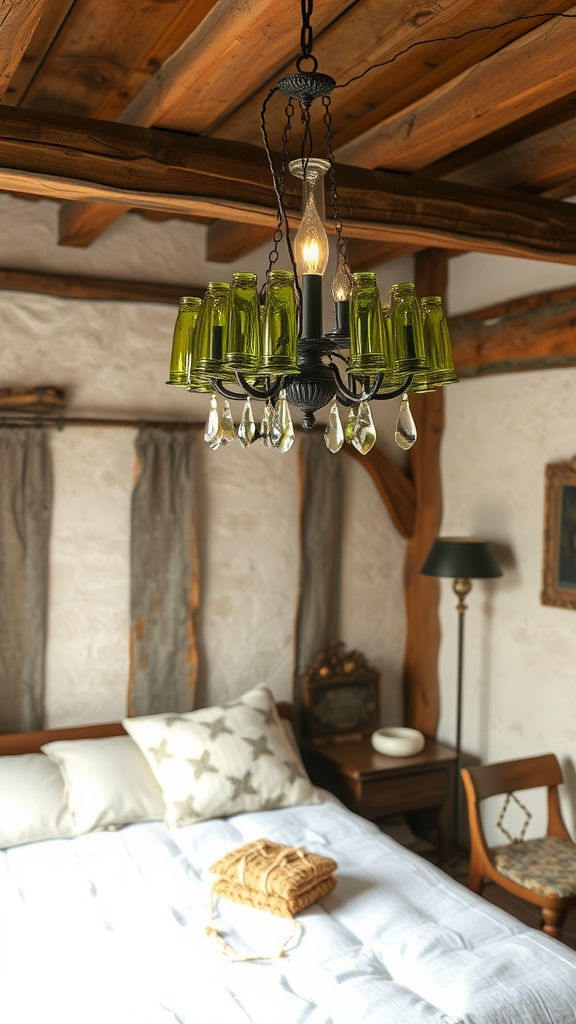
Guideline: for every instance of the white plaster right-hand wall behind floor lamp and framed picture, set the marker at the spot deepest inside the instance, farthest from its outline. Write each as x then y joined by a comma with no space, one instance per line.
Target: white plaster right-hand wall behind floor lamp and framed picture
520,657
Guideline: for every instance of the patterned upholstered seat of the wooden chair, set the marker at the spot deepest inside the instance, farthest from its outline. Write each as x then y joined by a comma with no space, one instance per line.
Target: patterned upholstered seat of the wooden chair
545,866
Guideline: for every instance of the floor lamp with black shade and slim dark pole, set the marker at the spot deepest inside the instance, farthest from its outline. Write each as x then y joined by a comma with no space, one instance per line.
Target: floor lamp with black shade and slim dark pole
465,560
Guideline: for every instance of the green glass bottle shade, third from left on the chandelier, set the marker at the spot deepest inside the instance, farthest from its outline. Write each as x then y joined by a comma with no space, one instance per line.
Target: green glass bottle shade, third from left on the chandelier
244,349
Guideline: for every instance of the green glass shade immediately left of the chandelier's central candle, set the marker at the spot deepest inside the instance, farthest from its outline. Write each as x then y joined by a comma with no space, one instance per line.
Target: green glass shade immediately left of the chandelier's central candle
280,333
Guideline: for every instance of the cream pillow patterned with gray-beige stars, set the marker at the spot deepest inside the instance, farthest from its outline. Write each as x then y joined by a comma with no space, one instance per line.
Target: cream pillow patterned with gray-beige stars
223,760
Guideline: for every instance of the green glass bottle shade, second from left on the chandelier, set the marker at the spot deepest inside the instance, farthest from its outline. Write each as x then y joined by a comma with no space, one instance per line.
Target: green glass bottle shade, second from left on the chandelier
212,335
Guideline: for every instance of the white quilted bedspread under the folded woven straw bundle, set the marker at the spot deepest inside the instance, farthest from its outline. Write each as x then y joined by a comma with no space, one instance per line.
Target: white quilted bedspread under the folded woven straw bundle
109,929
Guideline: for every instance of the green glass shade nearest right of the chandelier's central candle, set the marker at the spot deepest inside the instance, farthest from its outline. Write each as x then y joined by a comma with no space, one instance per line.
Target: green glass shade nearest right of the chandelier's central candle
367,342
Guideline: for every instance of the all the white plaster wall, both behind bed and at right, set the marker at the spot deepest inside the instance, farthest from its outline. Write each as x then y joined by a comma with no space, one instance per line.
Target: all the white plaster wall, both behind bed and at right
501,433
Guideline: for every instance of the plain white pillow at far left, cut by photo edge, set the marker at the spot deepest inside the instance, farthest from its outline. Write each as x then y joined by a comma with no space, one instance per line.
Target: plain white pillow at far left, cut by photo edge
33,803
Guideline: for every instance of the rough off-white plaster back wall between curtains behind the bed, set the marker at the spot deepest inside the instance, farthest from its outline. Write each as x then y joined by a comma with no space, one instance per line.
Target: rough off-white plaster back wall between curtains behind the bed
112,358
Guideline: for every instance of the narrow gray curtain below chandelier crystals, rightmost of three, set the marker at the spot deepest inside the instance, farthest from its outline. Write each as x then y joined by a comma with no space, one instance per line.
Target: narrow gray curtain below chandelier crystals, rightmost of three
321,541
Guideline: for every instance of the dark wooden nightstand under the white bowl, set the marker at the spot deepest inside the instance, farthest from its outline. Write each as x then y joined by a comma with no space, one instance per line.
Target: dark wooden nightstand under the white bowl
378,787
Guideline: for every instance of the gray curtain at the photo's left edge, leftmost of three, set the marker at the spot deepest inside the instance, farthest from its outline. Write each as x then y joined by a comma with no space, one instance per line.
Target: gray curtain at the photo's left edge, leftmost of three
26,507
